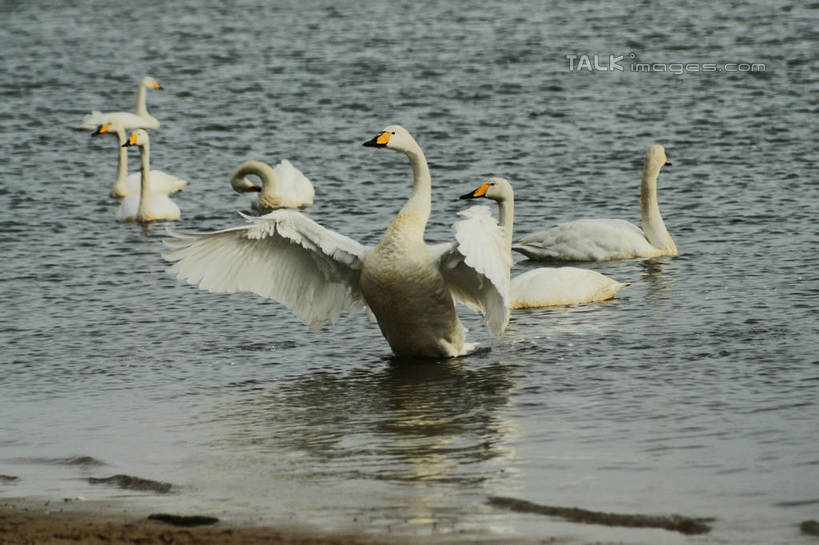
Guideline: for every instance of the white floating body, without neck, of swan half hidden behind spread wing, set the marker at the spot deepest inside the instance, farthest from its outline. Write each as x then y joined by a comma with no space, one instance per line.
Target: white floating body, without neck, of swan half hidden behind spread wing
549,286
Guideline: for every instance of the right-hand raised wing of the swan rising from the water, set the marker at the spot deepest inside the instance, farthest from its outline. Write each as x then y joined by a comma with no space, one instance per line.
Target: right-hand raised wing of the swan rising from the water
476,267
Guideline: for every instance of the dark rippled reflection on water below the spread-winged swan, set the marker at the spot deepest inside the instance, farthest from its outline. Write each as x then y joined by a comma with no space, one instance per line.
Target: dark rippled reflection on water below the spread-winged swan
424,422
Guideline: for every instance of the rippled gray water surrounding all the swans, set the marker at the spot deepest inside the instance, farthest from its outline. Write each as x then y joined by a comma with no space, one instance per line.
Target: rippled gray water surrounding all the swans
694,392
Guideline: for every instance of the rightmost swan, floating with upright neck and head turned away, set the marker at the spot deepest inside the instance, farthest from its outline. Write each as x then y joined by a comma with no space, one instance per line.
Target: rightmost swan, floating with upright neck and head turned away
604,239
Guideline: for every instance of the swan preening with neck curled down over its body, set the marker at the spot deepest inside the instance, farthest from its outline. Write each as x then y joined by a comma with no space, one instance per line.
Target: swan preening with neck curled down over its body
282,187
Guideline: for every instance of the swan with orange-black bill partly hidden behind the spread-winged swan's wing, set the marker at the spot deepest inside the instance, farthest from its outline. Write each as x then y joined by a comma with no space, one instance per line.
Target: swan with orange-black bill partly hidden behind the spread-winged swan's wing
545,286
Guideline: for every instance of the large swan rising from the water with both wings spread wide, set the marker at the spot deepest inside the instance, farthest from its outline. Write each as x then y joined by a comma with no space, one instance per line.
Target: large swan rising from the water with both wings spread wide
407,285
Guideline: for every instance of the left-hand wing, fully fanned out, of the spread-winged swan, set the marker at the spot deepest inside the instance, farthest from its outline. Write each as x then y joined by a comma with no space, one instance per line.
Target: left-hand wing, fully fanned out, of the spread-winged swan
283,255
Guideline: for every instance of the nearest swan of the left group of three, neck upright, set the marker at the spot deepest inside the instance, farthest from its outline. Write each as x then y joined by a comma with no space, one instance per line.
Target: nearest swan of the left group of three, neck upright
145,206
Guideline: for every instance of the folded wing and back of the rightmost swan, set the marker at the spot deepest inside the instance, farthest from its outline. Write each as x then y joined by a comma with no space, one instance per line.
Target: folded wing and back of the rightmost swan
585,240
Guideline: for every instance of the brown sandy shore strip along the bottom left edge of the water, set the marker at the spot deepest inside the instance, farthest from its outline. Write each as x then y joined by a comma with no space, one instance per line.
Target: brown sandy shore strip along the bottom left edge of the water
27,523
